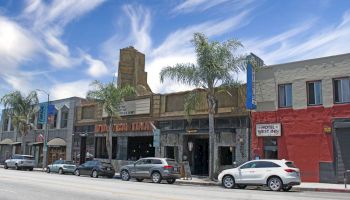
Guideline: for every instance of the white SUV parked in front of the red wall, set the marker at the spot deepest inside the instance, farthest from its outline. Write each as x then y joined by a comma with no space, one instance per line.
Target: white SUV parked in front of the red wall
276,174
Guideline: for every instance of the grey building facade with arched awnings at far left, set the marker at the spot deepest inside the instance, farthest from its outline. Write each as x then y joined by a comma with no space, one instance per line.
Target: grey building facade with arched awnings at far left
59,138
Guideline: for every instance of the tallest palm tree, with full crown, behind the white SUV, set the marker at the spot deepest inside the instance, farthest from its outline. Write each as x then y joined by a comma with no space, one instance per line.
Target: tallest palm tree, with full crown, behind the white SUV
214,72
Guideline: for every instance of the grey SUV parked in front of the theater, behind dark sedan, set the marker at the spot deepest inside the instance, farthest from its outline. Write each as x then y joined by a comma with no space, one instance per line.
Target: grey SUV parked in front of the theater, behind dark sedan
156,169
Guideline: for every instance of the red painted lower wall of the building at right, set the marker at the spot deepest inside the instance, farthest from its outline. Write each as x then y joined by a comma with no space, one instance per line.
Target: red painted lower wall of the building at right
303,139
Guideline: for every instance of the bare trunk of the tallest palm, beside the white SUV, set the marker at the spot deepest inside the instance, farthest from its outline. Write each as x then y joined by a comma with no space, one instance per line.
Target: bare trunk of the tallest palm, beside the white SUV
211,106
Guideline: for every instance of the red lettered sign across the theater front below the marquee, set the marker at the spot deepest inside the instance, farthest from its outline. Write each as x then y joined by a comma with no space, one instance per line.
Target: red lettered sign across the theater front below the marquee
125,127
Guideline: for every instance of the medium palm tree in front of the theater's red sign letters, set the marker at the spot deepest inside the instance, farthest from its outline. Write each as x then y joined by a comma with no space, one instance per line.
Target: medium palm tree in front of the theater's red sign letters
110,97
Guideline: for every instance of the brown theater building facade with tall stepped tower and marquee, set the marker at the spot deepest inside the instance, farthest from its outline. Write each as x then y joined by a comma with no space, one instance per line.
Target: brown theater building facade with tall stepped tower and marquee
155,125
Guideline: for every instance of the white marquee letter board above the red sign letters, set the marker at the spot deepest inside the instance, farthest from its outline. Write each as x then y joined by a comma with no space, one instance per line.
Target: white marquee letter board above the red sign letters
134,107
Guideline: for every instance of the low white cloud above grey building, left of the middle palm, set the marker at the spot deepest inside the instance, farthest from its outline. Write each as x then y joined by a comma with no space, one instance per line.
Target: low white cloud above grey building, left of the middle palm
71,89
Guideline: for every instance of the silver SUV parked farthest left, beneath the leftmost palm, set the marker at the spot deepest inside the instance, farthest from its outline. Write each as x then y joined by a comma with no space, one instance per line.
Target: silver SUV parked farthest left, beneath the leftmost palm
20,162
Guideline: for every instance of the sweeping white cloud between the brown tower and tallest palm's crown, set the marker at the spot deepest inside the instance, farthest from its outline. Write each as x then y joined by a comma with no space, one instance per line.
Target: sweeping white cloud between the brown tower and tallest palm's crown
177,48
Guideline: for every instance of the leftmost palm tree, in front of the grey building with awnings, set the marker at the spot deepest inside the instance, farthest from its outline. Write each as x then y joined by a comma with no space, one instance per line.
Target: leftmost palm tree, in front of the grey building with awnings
21,110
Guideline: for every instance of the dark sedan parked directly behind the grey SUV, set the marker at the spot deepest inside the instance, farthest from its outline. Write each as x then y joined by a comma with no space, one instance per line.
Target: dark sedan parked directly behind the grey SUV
95,168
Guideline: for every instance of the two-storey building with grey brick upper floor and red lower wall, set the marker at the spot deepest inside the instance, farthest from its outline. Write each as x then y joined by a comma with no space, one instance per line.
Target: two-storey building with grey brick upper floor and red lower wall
303,114
